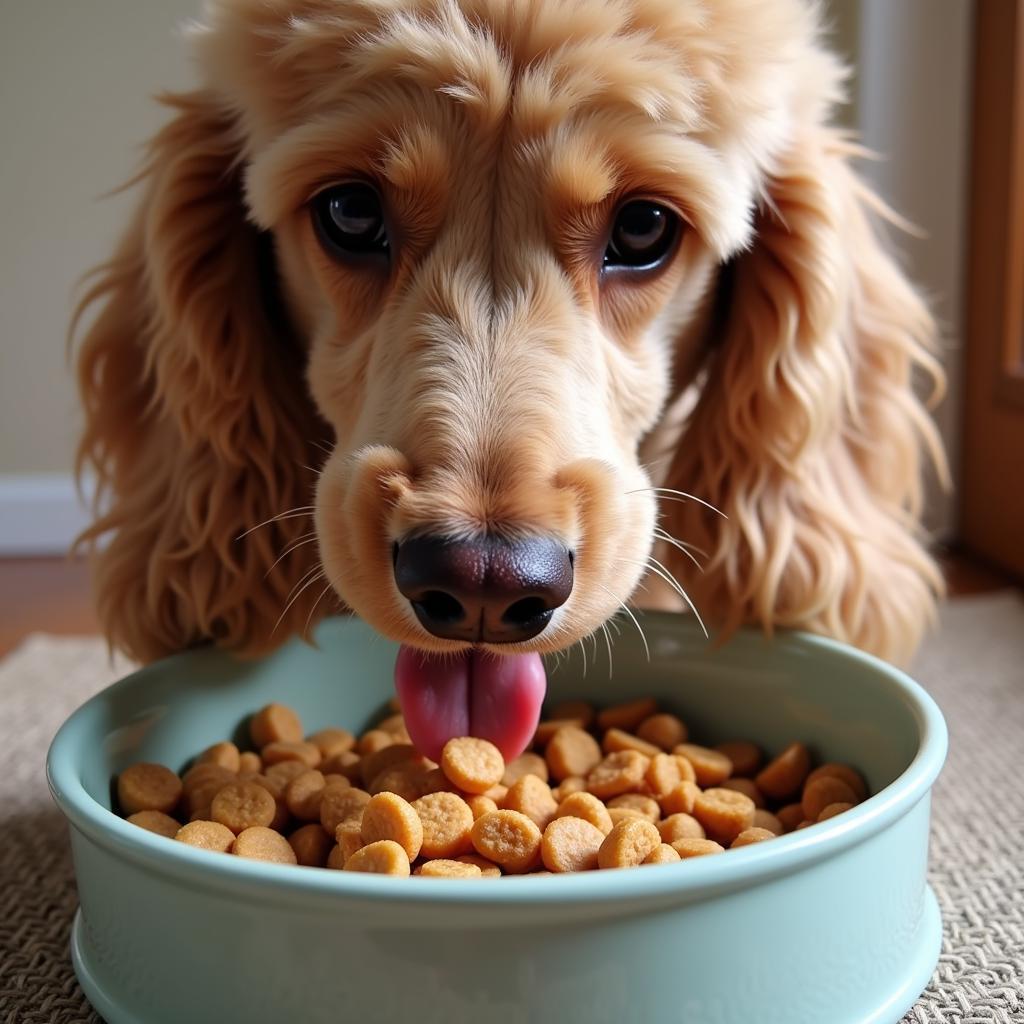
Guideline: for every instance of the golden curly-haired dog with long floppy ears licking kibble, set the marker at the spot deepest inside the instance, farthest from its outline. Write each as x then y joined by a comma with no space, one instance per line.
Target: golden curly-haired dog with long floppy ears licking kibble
482,319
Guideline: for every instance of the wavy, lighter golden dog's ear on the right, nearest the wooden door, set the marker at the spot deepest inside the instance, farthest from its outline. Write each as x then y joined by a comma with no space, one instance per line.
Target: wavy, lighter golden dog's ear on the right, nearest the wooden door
808,436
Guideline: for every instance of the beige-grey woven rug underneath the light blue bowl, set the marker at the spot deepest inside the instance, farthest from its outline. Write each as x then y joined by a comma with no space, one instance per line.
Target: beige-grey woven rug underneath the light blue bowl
974,667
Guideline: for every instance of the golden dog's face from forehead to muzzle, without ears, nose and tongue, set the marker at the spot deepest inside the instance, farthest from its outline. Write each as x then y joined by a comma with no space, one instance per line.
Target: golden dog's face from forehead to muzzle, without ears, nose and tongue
498,227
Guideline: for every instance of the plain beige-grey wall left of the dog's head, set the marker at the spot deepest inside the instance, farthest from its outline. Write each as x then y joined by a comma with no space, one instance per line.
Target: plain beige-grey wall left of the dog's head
76,82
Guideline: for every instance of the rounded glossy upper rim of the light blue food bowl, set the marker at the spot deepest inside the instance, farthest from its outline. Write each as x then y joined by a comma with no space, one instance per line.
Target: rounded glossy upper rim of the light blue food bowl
704,877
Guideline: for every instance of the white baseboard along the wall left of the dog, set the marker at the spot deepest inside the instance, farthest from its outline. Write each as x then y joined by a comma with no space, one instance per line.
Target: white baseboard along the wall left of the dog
41,514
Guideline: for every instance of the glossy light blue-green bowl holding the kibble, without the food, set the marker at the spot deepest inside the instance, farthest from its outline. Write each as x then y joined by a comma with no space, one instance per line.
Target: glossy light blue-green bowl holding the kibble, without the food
832,925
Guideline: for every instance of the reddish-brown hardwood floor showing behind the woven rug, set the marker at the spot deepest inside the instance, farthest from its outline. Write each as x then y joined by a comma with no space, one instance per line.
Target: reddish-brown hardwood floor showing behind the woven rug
54,594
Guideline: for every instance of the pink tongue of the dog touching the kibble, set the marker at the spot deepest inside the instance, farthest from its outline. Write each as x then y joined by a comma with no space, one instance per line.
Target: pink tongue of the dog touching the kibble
473,694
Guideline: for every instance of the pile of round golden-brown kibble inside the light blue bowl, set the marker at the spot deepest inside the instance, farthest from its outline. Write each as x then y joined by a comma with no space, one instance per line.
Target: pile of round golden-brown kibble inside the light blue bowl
620,788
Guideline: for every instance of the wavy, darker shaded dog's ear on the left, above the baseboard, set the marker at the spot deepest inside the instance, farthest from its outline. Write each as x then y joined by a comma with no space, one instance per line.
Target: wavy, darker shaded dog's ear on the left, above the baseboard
198,426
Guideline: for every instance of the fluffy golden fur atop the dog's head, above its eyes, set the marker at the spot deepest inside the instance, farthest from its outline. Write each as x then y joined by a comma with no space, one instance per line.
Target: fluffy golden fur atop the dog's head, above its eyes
706,93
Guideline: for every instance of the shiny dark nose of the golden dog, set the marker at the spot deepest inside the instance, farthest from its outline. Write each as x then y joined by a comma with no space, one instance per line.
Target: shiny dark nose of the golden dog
489,589
